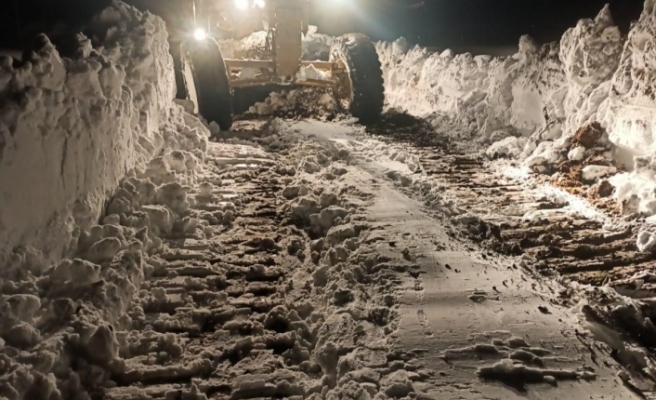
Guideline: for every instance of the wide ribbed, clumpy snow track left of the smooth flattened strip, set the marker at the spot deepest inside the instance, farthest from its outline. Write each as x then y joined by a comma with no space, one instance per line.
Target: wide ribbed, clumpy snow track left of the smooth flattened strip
285,298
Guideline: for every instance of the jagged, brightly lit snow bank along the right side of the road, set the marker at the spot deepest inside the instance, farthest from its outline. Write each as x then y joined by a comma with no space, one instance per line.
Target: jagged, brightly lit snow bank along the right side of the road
545,94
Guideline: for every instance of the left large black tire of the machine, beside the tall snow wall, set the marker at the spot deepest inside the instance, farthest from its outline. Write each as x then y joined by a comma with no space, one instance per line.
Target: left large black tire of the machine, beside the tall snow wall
211,81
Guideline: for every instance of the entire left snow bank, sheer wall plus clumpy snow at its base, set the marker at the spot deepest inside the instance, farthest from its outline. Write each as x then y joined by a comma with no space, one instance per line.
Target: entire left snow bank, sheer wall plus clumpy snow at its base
75,134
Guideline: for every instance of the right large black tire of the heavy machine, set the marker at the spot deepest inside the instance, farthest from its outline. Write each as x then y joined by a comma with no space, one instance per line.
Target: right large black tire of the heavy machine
364,73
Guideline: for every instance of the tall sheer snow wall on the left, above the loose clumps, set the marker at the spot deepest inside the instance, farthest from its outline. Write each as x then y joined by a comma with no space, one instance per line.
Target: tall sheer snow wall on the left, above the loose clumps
70,128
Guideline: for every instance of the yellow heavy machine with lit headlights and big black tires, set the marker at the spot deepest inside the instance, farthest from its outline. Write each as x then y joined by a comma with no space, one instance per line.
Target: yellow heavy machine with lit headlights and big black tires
352,72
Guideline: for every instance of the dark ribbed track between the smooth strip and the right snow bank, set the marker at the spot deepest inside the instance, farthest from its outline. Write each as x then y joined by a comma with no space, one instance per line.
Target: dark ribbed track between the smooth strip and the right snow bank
550,236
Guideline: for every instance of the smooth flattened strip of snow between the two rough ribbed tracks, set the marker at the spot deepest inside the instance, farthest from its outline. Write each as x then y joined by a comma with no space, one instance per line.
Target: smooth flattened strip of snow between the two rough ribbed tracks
463,314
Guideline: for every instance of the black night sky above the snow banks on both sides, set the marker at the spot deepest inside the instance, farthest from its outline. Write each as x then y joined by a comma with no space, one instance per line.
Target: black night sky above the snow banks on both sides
459,24
